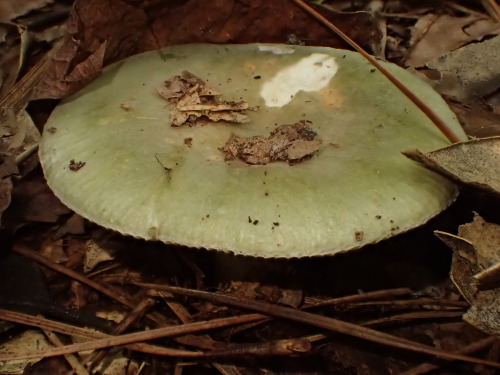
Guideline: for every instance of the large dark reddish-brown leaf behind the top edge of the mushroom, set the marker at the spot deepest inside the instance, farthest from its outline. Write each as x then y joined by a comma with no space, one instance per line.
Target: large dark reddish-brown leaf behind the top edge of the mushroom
130,27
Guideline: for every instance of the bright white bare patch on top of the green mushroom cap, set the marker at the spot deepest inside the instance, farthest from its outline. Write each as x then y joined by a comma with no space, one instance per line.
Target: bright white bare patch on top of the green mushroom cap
311,73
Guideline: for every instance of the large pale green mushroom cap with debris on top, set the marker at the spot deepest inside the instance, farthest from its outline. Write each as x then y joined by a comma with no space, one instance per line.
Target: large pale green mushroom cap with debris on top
110,154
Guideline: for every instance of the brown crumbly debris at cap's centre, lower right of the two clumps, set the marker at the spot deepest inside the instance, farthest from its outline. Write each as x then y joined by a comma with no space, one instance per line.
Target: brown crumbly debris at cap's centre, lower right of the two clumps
292,143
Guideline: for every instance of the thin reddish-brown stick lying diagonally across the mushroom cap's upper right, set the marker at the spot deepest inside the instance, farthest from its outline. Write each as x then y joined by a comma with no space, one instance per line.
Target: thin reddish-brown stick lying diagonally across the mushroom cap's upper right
442,126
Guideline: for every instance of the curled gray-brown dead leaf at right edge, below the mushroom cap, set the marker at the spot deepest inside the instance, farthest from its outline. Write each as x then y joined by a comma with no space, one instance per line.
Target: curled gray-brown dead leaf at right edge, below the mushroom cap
476,249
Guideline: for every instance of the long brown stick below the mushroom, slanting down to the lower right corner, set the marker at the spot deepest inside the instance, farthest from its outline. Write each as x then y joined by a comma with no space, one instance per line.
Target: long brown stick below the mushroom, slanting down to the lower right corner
321,322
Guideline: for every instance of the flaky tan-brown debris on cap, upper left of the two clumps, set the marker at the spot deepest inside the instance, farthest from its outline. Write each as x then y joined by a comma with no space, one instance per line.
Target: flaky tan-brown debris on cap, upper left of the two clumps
195,99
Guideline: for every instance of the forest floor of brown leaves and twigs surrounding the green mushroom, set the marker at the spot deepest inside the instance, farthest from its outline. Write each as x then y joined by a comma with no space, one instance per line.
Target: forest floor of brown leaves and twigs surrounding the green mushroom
388,308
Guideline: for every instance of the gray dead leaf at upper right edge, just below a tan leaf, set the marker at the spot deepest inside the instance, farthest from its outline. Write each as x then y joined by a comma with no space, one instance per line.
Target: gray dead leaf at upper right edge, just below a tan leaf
469,72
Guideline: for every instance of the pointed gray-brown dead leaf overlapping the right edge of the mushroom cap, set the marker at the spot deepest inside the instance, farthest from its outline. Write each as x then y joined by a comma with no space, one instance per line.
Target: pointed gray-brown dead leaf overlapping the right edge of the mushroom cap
475,162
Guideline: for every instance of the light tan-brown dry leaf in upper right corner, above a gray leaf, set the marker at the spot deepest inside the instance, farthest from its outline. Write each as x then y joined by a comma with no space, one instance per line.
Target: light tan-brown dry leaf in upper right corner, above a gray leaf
434,36
